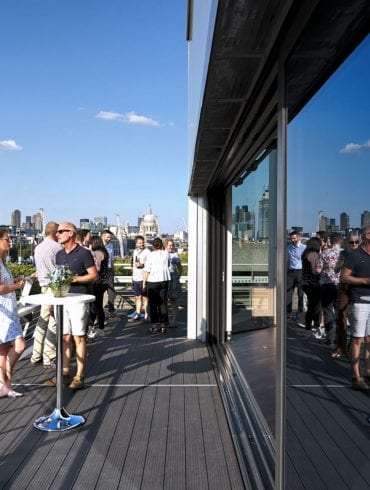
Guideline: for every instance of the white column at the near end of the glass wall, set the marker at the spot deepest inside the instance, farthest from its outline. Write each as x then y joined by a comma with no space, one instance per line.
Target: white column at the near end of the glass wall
197,269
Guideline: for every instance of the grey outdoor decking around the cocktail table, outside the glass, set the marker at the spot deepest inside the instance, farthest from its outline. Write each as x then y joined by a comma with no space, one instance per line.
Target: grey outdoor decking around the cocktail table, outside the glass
155,420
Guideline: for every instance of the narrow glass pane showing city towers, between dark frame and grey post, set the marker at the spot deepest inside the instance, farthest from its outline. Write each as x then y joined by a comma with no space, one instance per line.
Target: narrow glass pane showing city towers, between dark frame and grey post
253,343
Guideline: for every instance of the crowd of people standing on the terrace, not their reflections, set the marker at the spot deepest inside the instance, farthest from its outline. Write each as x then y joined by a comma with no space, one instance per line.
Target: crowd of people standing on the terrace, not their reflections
156,282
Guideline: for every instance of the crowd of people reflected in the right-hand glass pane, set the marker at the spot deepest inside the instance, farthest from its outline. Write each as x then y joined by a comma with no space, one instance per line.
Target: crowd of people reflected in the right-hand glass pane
332,276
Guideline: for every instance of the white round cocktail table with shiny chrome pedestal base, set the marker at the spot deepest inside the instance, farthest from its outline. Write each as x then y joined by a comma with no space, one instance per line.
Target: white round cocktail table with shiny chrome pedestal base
59,419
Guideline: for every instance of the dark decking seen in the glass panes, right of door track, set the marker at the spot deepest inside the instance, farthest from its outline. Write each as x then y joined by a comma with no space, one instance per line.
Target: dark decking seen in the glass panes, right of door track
327,428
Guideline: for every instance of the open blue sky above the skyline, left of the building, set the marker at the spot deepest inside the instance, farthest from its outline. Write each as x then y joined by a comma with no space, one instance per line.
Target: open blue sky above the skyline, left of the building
93,105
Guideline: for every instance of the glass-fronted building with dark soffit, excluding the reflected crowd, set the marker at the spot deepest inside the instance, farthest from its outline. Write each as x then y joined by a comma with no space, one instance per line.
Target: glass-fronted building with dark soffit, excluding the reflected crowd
278,140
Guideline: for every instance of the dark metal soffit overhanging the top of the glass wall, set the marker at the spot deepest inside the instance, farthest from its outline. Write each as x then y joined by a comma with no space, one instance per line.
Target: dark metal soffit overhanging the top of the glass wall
238,118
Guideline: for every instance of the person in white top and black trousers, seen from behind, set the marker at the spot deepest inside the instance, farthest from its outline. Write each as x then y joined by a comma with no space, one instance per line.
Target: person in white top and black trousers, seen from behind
157,277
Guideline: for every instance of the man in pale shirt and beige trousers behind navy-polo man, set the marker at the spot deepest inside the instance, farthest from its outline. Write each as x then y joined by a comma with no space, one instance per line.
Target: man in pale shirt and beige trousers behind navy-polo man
44,341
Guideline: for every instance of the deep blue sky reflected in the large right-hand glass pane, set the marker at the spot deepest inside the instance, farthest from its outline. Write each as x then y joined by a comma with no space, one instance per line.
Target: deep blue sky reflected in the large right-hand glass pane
329,148
